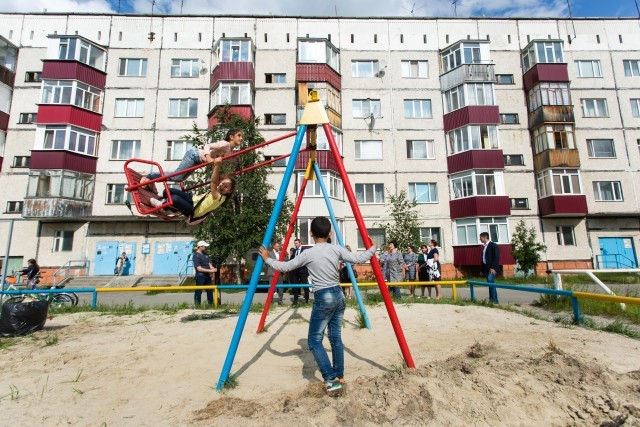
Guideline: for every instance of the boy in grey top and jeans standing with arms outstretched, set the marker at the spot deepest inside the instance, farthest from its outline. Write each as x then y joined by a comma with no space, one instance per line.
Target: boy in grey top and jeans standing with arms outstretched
322,261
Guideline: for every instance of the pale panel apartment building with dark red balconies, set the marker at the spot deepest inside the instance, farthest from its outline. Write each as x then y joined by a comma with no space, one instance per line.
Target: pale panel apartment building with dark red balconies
483,121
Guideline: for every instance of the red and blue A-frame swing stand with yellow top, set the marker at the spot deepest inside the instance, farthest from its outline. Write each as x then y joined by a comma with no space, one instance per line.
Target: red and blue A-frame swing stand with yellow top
314,115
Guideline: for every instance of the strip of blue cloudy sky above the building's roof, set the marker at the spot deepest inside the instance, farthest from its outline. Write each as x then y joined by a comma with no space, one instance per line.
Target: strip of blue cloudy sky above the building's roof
502,8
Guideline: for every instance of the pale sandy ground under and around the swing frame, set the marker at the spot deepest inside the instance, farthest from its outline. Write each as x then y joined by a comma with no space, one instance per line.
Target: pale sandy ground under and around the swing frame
475,366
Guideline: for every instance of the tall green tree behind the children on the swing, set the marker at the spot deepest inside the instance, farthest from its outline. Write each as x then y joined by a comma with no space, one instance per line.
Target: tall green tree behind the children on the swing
240,224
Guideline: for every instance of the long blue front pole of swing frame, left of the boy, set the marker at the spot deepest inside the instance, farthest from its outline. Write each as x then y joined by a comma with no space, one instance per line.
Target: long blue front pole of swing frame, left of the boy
246,305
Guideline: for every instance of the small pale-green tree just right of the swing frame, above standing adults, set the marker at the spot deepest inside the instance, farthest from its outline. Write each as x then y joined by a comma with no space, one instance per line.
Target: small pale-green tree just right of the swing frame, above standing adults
404,227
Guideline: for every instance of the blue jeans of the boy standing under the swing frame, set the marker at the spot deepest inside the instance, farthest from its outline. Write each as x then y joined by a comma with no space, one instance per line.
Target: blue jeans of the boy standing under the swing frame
327,312
